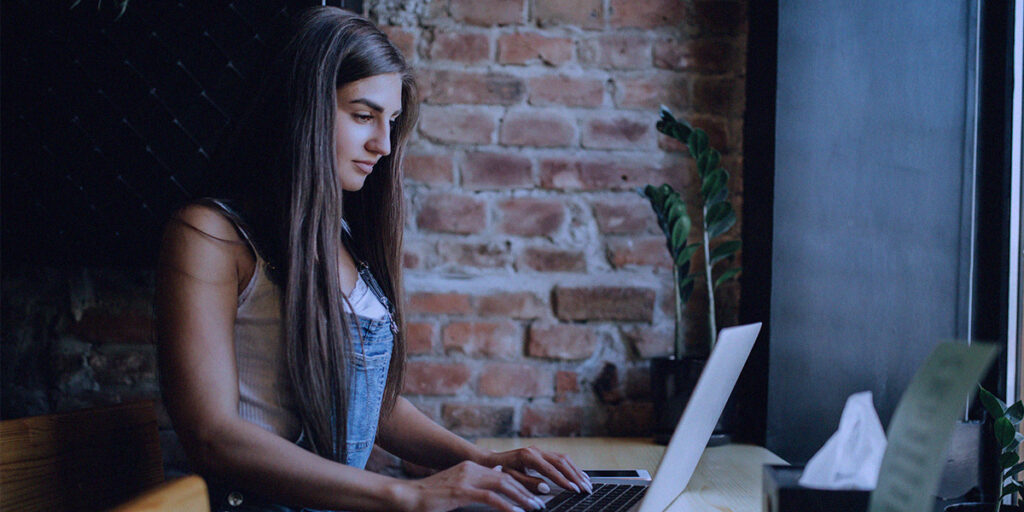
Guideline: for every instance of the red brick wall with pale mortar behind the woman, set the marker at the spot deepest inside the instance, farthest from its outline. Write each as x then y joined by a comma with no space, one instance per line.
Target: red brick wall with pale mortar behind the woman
538,282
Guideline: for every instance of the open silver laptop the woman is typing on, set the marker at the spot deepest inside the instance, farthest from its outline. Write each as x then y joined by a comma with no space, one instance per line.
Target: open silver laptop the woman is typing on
629,491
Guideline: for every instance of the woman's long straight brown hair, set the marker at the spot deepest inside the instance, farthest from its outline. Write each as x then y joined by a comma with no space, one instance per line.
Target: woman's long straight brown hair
280,169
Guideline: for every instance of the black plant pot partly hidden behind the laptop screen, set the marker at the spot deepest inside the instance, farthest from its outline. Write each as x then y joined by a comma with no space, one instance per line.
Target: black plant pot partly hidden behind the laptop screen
672,383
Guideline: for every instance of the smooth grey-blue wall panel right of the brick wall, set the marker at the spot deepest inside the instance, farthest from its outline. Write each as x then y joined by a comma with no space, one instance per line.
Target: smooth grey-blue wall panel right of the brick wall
867,267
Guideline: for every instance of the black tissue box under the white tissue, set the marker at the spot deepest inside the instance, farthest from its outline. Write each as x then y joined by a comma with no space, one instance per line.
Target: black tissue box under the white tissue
783,494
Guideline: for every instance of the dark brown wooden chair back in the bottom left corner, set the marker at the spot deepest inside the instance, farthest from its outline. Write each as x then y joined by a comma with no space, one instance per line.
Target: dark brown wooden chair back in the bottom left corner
81,461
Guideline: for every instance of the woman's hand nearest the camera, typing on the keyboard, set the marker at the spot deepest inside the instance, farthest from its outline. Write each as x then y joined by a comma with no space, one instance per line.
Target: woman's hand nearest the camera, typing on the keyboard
466,484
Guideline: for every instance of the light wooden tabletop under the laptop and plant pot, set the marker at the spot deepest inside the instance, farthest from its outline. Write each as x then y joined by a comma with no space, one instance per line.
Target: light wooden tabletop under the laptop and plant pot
728,480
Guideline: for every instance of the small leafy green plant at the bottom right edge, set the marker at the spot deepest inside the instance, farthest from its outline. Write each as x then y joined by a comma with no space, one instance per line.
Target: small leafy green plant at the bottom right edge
1005,424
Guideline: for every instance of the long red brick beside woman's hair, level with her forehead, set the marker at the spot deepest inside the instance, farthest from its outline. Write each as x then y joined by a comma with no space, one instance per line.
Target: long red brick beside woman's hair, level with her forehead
473,88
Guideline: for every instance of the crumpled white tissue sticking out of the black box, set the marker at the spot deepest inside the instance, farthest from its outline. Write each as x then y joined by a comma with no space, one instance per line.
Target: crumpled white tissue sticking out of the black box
852,457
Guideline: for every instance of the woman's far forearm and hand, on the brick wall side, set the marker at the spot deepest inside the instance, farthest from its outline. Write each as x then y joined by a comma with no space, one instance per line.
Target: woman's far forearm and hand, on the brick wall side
409,434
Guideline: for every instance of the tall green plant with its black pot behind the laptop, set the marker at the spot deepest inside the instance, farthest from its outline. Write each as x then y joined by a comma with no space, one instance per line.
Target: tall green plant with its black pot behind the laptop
673,378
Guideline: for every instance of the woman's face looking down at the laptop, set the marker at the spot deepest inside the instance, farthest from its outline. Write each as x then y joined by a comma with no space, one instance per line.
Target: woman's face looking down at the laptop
363,126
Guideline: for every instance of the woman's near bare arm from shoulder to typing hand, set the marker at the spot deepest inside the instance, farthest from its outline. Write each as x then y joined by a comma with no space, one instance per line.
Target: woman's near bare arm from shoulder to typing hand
203,264
